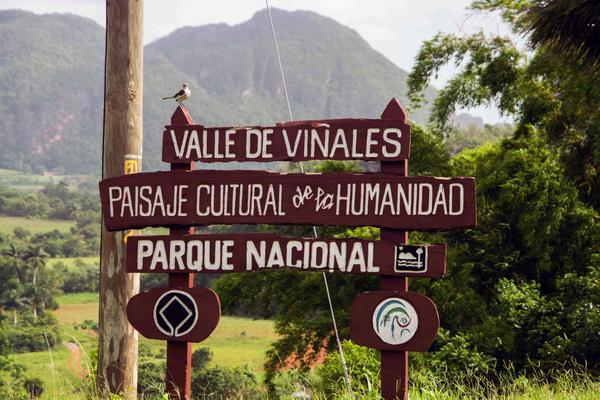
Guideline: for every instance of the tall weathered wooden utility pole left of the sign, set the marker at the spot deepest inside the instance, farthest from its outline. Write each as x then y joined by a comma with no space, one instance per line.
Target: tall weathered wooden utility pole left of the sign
118,341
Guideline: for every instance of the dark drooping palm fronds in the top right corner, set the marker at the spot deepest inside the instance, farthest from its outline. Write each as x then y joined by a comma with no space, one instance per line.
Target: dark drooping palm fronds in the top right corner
567,26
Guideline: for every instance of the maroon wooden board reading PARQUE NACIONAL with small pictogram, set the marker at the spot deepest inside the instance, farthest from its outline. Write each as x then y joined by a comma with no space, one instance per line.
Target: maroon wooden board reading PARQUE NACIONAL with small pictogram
265,252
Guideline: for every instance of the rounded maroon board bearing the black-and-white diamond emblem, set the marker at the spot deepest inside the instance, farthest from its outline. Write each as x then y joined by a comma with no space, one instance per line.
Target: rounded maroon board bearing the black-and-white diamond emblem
181,315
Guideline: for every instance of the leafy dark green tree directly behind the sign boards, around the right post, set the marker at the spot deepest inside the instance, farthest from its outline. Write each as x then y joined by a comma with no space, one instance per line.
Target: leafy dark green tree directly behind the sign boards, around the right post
298,301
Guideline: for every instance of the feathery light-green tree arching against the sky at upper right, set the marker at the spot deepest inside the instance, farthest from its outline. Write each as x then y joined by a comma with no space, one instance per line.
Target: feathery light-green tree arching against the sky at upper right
547,90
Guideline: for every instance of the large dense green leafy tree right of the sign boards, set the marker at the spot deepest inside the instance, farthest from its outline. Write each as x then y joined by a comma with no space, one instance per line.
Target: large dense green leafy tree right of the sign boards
528,272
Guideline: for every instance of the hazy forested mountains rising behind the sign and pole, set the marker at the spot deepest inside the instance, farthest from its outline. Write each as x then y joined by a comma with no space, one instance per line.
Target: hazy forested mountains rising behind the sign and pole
51,81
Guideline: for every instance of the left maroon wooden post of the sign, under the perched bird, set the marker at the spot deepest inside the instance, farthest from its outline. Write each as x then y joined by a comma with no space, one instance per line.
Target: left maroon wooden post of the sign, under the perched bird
179,354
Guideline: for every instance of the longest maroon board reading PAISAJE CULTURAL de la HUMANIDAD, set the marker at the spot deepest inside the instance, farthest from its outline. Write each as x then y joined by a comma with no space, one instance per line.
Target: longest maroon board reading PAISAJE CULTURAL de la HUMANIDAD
180,198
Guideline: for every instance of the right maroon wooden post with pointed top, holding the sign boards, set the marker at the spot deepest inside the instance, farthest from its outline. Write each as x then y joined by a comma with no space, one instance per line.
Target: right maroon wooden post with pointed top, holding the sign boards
394,364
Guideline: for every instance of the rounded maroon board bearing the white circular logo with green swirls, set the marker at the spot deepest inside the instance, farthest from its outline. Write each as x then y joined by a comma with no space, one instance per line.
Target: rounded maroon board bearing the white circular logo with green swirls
394,320
